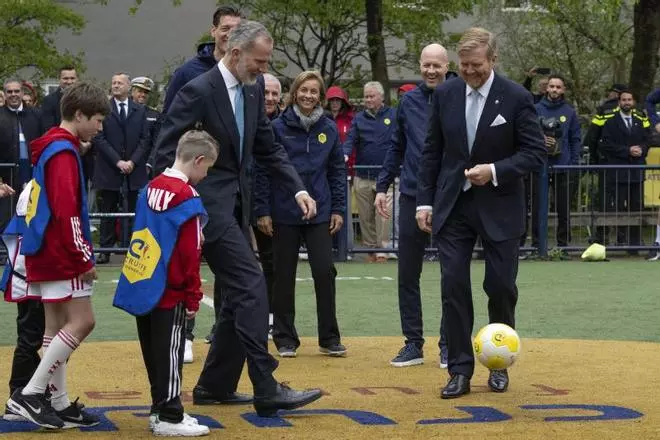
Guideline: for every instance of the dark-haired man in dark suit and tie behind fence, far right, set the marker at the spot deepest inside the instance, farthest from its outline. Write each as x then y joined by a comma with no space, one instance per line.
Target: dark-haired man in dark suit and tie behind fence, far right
624,141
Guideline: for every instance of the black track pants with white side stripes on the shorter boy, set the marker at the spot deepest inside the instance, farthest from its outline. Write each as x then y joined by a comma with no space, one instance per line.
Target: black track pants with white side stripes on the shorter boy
162,341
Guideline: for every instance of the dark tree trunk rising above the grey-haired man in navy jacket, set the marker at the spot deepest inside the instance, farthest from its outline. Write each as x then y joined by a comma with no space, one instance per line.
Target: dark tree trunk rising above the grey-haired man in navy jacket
376,44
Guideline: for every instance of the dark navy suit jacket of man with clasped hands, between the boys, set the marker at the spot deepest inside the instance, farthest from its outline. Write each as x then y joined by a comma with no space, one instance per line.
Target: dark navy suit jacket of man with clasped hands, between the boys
128,140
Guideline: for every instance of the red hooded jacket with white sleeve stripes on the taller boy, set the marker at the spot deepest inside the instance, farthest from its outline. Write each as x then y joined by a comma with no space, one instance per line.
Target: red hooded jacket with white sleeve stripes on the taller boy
65,254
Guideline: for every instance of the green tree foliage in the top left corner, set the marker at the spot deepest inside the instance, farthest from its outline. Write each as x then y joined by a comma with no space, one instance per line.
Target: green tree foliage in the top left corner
27,31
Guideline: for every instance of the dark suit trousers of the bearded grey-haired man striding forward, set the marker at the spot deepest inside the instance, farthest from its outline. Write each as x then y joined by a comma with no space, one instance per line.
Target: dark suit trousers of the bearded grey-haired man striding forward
241,330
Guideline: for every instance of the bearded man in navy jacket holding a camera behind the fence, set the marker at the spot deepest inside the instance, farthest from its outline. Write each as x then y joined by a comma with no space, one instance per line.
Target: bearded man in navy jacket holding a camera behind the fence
561,131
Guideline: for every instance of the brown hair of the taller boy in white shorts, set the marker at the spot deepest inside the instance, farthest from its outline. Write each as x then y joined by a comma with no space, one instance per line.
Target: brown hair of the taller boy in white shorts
85,96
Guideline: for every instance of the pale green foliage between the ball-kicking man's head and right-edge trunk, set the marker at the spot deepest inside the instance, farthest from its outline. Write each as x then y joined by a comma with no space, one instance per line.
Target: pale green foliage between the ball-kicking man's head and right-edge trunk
587,41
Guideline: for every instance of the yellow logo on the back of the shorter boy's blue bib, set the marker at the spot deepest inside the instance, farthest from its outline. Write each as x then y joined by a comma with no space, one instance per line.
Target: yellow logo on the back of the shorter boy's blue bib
142,257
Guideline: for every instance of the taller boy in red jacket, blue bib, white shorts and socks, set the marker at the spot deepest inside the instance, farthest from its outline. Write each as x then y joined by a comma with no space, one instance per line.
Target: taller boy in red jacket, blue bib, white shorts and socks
59,257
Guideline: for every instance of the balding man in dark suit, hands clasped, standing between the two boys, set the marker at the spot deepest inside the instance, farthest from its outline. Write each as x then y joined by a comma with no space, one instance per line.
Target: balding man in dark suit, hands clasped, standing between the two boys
121,153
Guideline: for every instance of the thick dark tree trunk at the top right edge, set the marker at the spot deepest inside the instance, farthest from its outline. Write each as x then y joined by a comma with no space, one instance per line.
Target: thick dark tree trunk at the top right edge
646,46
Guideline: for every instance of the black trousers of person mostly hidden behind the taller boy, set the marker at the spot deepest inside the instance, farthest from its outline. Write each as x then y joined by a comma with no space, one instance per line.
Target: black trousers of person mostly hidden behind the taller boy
30,327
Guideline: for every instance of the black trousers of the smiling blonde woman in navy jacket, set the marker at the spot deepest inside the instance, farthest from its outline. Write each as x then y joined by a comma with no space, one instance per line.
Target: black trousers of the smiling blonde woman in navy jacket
286,241
